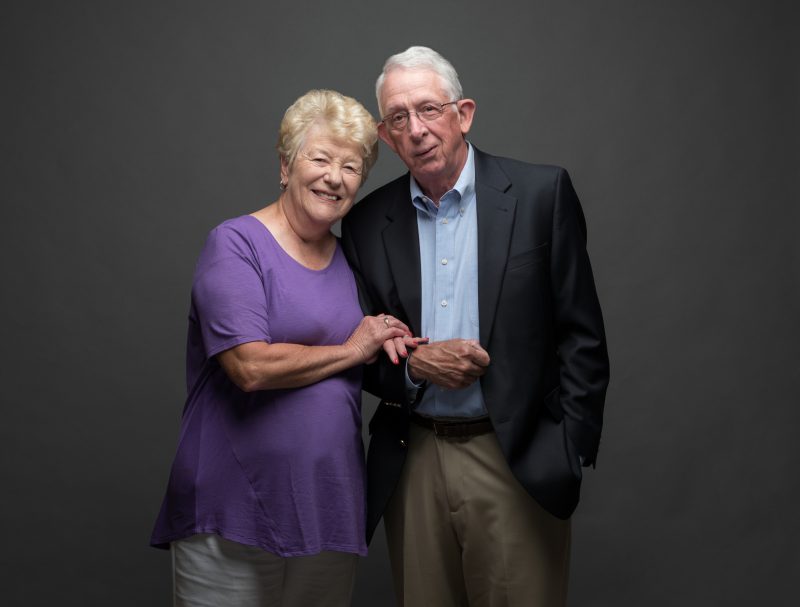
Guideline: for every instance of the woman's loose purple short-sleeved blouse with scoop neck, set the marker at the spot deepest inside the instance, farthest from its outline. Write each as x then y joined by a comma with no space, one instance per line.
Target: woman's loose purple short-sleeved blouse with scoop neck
279,469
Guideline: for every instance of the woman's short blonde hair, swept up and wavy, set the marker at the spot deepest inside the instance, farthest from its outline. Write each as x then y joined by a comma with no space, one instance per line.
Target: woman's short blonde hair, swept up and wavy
344,117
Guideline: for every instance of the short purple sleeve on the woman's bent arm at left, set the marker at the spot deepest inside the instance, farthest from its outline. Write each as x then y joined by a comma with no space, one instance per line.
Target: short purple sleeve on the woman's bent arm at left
228,294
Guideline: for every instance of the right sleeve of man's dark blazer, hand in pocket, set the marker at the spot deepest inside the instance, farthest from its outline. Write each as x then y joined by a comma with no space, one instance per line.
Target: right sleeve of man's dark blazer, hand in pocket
580,336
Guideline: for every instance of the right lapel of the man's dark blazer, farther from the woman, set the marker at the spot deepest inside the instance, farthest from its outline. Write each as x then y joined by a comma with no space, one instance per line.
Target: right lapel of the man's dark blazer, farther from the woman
495,222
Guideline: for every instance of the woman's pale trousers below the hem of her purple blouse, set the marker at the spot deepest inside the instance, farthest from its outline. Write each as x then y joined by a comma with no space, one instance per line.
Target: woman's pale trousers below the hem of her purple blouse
210,571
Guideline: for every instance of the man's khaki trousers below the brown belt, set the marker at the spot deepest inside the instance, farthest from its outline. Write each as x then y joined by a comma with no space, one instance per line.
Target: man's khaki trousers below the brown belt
463,532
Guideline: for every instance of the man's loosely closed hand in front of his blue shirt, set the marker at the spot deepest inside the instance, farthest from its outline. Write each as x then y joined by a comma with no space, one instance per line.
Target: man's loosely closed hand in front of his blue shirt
455,363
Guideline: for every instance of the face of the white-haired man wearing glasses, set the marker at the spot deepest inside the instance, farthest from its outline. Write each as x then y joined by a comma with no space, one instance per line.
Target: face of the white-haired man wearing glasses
435,151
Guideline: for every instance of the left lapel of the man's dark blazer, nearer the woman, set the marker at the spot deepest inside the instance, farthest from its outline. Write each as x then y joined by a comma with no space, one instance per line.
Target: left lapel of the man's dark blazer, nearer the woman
401,240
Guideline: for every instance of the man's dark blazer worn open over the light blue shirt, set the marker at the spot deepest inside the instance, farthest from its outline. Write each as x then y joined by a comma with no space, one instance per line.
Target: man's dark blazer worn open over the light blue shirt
540,322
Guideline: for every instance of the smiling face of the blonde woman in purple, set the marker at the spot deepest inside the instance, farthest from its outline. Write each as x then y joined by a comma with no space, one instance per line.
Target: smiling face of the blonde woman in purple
324,177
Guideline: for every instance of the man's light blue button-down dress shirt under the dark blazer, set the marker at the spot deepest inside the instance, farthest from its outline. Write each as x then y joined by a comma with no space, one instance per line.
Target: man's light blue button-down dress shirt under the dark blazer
448,252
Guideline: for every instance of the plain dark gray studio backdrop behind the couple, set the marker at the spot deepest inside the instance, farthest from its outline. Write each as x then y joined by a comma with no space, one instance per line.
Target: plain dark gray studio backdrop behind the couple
130,129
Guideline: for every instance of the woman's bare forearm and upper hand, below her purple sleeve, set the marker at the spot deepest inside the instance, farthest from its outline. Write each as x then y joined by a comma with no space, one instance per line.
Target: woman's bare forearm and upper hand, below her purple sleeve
262,366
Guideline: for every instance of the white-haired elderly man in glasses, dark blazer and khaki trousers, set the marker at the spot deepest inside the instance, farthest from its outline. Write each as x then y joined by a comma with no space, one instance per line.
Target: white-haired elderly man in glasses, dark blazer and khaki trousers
478,442
